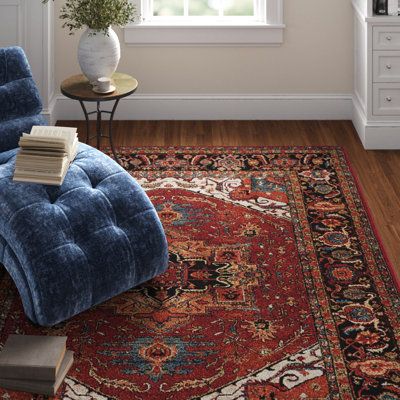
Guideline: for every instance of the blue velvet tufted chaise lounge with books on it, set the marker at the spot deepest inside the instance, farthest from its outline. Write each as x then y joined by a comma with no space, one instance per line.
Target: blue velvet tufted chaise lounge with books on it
68,248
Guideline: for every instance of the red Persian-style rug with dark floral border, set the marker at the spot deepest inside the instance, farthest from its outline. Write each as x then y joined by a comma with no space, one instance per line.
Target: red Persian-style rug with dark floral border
277,288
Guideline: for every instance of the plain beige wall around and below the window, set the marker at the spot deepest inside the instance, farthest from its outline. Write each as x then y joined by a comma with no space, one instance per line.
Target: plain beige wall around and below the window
315,58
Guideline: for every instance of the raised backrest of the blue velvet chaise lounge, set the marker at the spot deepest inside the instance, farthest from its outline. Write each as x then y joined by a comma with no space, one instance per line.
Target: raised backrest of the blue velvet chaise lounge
20,103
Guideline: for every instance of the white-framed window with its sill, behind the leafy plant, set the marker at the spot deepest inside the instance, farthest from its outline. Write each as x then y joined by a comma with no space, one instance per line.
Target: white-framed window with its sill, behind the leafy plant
207,22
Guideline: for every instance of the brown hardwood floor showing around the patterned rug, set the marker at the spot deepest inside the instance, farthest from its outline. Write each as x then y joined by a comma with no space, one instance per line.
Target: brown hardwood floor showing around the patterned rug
378,171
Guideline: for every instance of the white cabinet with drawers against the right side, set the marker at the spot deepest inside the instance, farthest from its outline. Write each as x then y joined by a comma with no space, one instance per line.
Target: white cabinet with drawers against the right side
376,97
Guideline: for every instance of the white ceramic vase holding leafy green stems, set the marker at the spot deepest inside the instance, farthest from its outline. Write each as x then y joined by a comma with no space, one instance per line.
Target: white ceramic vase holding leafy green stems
98,54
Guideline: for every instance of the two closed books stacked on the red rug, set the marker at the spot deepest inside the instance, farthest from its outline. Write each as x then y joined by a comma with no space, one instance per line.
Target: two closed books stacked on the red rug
34,364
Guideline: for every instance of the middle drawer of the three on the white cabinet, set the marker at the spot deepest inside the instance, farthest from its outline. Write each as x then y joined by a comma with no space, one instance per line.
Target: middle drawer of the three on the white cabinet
386,66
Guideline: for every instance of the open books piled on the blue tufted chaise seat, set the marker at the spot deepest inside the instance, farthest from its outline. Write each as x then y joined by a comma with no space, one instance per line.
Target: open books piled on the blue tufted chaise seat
45,154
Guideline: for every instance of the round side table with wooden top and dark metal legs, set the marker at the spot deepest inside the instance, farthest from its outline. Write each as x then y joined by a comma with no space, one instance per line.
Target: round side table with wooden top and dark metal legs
77,87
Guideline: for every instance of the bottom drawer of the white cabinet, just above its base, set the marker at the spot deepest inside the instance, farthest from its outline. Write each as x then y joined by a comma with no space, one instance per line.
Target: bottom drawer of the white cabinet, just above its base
386,99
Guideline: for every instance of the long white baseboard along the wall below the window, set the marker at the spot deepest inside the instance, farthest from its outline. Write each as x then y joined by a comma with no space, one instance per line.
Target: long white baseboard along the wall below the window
219,106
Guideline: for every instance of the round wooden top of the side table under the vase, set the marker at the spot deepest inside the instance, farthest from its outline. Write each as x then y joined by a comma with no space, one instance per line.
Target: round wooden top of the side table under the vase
77,87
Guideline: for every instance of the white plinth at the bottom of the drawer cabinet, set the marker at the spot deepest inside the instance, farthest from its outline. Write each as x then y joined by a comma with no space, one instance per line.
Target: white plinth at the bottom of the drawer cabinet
376,136
